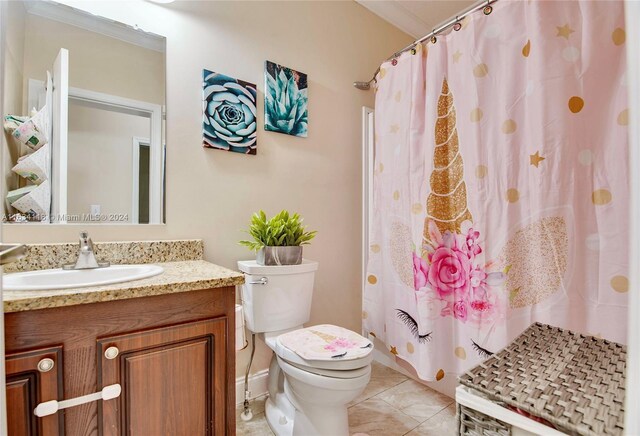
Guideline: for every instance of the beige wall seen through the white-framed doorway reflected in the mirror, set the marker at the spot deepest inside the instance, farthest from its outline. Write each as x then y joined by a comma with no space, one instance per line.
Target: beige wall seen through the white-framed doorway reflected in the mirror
100,165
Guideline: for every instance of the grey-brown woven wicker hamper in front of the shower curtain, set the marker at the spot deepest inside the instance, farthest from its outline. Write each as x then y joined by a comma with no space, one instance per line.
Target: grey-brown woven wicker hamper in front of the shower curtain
573,381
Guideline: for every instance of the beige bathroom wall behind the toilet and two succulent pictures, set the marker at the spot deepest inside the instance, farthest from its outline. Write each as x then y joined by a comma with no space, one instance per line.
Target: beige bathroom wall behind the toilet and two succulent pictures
211,194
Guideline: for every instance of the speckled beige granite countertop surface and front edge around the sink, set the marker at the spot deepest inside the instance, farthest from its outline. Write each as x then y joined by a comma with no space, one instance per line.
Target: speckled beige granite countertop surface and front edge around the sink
180,276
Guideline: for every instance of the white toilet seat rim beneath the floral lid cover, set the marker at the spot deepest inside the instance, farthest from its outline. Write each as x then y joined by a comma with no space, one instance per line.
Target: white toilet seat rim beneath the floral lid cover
330,368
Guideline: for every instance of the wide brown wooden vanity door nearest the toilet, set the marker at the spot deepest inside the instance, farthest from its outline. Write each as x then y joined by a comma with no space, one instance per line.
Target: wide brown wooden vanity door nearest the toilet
173,380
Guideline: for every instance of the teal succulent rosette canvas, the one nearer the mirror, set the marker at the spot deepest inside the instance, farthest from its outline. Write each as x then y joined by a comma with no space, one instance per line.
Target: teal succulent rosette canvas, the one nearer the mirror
229,113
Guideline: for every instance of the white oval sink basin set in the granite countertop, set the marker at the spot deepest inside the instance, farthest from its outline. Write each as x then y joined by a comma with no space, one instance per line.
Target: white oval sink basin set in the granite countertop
61,279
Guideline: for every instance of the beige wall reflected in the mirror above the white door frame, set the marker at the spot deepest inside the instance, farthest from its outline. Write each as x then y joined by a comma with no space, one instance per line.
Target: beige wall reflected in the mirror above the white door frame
96,62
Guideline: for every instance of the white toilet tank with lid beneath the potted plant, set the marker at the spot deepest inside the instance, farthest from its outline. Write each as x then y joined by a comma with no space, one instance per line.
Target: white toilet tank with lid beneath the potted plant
277,297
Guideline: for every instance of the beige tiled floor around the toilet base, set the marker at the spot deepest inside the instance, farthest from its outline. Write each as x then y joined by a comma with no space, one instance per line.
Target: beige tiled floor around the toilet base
391,405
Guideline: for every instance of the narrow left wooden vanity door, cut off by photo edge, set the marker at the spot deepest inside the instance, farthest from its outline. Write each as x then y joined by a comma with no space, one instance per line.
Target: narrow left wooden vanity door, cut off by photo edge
33,377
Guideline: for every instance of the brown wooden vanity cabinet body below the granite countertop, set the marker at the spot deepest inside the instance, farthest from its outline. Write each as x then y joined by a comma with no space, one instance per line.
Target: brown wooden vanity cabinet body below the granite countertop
173,356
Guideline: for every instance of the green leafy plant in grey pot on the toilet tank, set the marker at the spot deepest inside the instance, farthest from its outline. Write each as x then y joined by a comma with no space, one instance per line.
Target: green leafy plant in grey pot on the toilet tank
278,240
